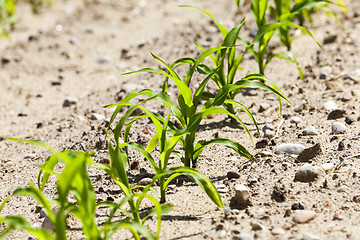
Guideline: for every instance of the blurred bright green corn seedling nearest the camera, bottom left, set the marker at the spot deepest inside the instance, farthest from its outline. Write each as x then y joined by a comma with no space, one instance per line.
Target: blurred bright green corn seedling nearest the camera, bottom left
74,180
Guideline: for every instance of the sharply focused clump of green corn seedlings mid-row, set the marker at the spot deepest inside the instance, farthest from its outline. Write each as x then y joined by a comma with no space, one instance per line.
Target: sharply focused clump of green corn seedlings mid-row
189,114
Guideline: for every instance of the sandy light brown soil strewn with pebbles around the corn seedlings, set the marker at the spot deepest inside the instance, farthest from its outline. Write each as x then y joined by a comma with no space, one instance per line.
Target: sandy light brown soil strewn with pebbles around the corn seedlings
80,49
